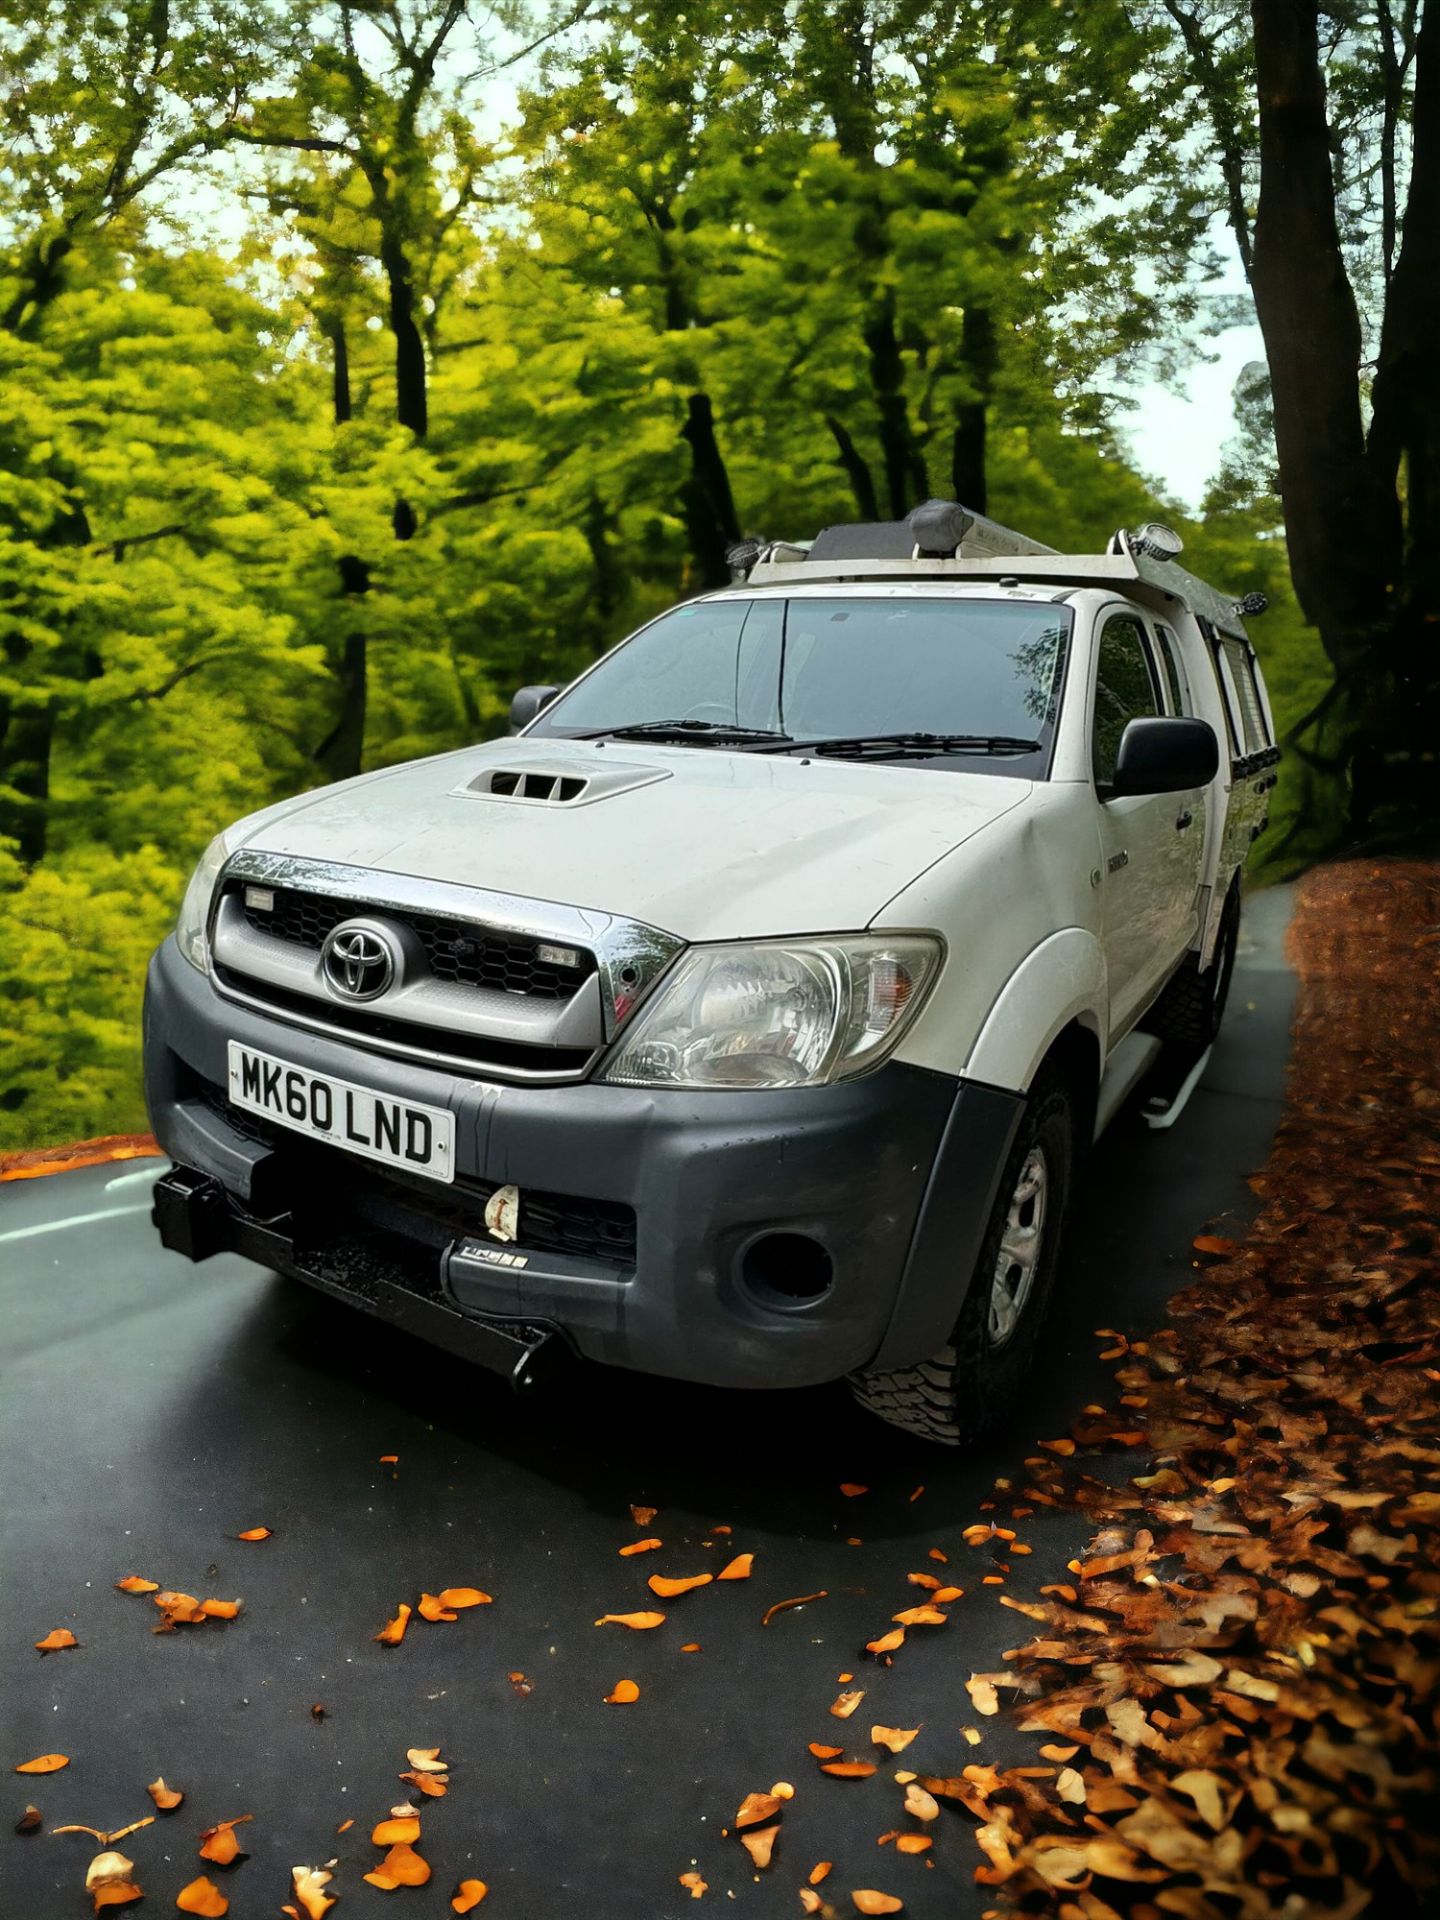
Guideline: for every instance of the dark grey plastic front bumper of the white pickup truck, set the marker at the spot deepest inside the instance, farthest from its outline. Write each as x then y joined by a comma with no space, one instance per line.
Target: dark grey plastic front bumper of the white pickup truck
890,1176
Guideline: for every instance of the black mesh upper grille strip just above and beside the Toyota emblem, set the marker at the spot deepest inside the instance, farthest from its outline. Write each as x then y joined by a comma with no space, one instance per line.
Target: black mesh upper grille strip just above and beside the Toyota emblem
458,953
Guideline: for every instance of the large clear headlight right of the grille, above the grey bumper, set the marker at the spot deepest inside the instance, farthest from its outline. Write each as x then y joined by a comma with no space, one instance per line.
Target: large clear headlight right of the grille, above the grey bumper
779,1013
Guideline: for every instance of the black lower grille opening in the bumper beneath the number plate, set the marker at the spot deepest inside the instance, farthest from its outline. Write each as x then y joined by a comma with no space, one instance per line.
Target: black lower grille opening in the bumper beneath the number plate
324,1184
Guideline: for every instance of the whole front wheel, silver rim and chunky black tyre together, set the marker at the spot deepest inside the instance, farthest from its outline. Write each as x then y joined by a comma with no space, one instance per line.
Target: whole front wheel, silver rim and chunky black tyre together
969,1385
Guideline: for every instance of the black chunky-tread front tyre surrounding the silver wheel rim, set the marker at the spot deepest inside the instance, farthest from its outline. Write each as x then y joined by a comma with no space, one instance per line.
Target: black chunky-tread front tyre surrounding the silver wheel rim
967,1389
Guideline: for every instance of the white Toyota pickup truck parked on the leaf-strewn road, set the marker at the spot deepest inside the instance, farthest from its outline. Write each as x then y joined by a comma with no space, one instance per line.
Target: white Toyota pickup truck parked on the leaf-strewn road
748,1017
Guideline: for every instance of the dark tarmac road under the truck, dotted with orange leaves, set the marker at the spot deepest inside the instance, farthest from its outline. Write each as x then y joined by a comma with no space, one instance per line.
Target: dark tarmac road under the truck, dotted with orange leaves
153,1410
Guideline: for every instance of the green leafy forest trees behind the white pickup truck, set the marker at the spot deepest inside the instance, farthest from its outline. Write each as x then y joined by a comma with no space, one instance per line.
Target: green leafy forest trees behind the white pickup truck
364,362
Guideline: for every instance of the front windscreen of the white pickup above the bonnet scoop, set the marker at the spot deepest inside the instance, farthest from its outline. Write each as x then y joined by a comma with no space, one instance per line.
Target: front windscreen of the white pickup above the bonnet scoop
819,669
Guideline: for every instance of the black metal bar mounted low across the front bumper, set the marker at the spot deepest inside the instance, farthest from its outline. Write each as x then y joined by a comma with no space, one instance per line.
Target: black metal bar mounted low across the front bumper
195,1216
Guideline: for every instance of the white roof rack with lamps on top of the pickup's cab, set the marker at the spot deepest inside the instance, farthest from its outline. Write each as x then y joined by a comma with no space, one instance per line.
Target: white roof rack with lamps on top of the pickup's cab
944,540
